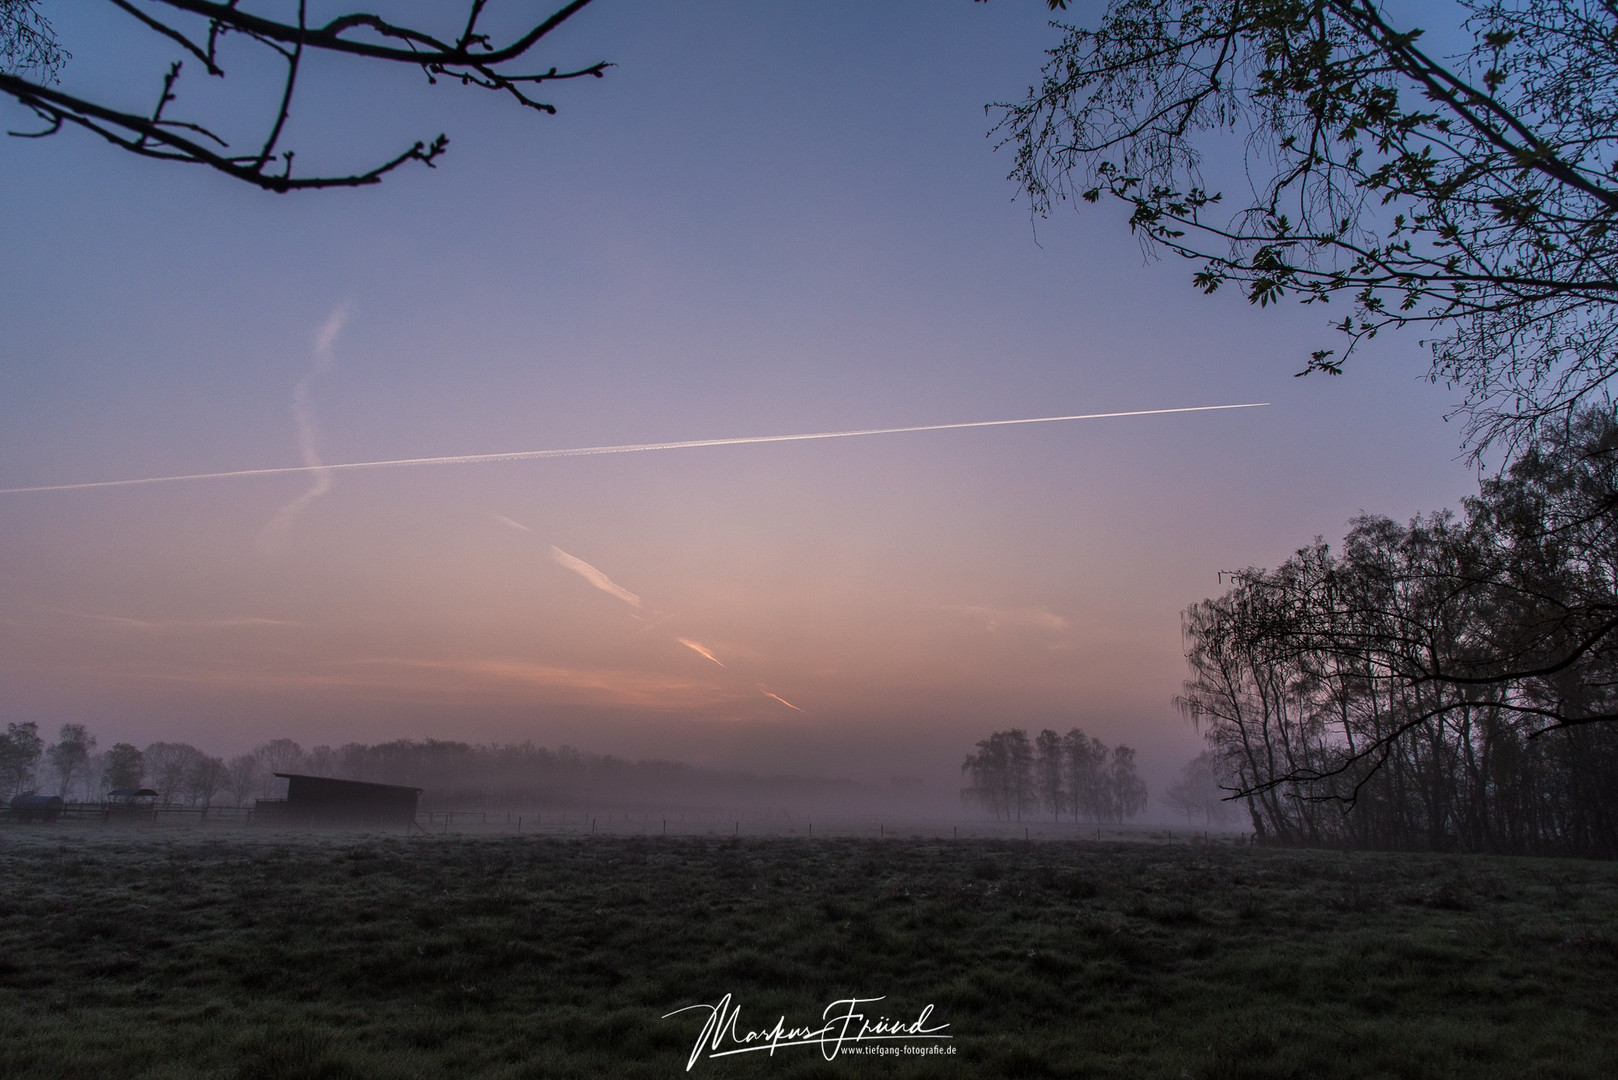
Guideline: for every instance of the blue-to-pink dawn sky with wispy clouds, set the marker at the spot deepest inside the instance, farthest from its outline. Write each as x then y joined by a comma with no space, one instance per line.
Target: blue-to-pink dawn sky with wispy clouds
769,218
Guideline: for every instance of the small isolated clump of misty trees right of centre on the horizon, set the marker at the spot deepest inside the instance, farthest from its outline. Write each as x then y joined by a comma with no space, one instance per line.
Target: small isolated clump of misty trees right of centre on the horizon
1069,776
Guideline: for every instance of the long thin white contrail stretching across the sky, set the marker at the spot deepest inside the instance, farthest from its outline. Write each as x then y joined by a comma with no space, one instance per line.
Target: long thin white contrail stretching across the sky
633,448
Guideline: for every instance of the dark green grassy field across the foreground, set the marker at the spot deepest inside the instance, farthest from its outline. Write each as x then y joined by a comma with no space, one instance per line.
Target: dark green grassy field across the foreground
276,956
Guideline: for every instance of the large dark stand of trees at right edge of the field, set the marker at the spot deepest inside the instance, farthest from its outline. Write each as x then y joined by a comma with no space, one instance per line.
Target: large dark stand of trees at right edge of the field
1451,684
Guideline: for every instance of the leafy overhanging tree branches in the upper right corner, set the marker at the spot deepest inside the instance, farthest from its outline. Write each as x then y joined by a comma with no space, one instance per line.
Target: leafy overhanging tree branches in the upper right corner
1472,195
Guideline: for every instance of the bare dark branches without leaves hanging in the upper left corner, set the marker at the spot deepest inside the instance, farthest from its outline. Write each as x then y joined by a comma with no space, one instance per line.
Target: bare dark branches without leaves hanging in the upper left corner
32,62
